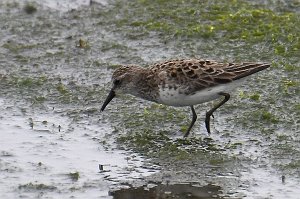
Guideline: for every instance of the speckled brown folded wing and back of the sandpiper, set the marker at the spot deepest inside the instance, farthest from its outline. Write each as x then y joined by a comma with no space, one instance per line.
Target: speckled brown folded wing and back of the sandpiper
196,74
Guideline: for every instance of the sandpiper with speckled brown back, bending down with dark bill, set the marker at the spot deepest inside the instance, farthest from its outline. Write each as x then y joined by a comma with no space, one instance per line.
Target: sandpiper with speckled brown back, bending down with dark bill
183,82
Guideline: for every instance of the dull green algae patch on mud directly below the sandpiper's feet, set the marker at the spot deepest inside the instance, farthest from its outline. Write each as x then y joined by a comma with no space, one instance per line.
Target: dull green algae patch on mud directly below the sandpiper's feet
162,149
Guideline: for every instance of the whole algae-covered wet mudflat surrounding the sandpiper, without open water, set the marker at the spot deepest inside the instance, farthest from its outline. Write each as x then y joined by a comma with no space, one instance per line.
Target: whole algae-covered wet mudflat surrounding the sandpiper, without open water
233,30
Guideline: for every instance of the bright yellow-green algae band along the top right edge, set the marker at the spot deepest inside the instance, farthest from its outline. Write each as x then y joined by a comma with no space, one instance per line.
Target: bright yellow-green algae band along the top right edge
238,21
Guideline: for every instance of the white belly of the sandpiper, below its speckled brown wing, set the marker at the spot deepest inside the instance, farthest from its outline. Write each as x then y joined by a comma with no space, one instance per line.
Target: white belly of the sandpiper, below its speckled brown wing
172,97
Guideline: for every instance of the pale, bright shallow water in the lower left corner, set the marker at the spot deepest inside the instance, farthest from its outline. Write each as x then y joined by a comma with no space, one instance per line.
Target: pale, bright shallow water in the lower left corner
44,155
